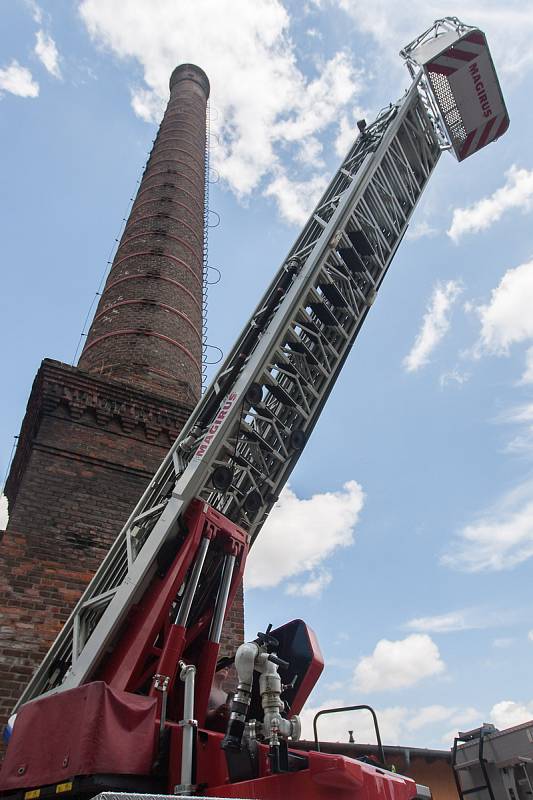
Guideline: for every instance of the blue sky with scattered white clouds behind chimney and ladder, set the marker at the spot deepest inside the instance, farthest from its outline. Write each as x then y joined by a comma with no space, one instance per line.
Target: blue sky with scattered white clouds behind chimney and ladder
406,536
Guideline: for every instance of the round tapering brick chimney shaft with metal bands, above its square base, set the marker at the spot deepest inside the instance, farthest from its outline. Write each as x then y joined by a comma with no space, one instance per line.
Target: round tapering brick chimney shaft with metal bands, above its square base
147,330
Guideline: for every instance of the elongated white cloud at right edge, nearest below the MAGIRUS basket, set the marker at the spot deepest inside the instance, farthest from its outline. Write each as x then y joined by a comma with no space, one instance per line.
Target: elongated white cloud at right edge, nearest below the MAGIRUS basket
517,192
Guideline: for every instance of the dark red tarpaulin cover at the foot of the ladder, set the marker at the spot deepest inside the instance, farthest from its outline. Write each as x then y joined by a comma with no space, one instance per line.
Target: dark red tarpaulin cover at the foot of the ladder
84,731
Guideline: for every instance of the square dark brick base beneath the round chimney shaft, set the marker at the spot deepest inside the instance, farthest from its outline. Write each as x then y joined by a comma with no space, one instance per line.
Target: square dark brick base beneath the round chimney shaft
87,449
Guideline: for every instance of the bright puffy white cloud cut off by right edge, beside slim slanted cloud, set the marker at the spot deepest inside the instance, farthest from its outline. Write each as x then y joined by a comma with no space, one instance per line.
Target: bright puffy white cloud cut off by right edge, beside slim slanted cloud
507,318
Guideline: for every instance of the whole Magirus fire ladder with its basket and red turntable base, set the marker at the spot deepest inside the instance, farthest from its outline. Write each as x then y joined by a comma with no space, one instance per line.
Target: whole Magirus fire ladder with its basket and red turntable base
123,701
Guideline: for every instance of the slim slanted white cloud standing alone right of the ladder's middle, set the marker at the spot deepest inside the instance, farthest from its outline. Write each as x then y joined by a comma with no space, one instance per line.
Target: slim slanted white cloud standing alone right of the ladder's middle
435,324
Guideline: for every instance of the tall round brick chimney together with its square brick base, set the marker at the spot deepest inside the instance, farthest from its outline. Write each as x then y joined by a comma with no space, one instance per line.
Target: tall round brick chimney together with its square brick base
94,434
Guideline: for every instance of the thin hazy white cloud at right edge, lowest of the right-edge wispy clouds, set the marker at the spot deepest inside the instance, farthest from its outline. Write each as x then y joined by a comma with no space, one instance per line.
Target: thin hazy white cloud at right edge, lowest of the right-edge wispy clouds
501,538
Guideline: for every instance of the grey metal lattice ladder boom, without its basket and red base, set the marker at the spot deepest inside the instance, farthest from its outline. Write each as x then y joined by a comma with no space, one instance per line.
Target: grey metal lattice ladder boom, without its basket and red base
246,434
